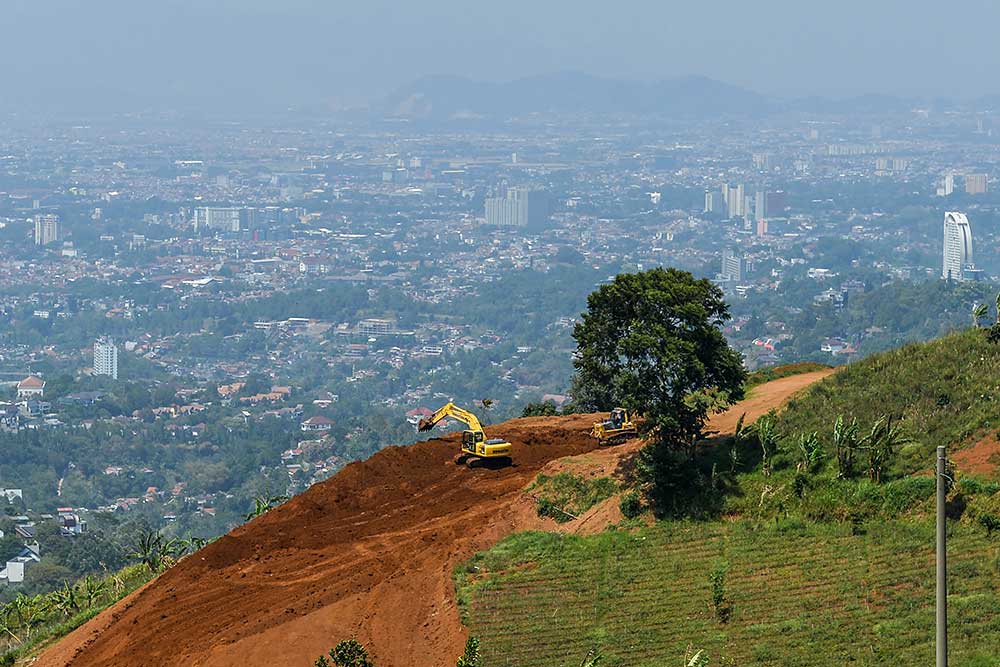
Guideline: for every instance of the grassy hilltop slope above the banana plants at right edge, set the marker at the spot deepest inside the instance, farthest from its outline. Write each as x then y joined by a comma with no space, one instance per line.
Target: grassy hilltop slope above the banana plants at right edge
944,392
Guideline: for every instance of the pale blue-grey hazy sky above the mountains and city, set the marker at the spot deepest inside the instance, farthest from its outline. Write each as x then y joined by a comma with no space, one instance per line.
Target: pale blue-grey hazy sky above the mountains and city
286,52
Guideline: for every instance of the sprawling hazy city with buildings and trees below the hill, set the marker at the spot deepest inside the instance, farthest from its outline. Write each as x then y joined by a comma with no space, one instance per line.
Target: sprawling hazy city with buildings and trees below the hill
195,315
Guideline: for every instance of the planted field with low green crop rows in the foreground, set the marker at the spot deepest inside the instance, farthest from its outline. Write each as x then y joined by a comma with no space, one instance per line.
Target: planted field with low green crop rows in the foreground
800,596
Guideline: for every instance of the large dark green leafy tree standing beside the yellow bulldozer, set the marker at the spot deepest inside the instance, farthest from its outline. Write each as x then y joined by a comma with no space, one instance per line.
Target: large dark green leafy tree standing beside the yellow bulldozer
651,342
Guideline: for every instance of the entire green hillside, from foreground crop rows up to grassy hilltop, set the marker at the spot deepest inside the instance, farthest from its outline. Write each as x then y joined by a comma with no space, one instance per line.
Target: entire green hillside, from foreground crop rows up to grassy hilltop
819,569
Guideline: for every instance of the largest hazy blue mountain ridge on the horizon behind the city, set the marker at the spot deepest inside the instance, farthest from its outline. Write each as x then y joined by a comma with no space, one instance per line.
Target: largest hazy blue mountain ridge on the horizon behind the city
446,96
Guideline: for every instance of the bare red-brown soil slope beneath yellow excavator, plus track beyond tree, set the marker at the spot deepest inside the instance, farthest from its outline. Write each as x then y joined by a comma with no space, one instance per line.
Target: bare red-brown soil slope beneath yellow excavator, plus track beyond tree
368,553
